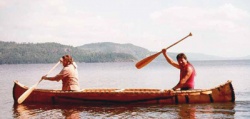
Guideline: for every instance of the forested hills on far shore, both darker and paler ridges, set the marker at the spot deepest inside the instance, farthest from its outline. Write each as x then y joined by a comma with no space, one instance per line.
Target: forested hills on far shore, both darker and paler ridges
24,53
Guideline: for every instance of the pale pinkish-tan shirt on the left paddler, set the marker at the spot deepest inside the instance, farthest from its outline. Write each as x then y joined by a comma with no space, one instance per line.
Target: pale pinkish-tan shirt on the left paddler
69,77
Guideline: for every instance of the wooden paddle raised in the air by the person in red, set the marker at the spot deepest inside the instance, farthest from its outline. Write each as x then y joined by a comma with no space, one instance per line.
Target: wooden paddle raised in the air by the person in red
148,59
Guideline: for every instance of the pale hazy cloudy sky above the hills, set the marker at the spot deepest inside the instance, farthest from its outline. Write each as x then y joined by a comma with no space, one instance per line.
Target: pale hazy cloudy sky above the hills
219,27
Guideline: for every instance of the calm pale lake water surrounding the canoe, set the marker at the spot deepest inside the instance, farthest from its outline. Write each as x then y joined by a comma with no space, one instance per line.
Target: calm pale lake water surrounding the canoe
158,75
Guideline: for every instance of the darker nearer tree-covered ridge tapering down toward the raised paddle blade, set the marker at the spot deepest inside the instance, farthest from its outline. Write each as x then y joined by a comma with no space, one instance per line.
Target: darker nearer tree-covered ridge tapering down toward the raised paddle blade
27,53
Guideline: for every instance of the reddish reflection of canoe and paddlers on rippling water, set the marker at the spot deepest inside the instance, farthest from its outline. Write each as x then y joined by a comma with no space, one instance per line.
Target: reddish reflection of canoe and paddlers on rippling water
209,110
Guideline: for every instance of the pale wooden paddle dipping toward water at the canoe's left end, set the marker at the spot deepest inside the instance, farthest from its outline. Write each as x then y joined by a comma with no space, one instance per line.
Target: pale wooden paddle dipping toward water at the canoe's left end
29,91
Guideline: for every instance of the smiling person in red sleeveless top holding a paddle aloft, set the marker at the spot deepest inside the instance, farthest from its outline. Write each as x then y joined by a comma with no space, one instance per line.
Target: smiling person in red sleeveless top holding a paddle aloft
187,71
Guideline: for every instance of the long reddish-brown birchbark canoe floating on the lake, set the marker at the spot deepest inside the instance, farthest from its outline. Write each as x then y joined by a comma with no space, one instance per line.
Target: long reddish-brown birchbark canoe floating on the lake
222,93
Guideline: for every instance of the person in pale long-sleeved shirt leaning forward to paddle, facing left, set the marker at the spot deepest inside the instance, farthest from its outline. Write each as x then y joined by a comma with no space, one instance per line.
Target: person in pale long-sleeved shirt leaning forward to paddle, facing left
68,75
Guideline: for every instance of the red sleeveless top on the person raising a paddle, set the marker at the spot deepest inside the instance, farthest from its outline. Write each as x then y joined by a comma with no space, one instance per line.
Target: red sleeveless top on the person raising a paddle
190,82
